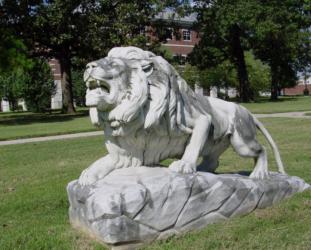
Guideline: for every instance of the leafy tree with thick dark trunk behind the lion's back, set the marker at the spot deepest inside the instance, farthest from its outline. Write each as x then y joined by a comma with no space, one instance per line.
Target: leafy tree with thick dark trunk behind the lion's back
224,26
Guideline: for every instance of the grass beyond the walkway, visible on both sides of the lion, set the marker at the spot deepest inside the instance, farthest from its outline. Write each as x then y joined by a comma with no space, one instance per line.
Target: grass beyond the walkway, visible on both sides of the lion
25,125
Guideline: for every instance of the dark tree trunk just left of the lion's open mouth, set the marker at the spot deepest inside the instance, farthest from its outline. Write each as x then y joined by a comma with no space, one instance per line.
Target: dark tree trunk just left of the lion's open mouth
66,83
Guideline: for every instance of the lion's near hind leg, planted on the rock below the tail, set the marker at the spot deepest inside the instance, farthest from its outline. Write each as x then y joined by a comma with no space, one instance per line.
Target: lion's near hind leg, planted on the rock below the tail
251,148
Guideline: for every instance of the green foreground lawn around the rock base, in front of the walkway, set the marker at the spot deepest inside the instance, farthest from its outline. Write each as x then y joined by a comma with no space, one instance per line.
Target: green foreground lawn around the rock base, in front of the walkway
34,206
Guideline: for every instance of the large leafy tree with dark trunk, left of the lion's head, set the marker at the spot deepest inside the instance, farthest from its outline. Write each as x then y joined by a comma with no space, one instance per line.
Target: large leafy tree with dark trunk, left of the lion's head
86,29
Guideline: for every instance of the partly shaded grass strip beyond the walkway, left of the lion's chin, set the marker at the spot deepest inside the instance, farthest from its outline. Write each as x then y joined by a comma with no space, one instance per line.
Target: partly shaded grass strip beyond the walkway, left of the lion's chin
26,124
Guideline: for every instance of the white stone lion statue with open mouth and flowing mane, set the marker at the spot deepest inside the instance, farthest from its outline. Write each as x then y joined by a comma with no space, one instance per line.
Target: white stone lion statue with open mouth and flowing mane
149,113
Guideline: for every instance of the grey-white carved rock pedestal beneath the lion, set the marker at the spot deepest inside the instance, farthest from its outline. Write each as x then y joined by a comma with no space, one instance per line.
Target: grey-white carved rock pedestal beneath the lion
137,205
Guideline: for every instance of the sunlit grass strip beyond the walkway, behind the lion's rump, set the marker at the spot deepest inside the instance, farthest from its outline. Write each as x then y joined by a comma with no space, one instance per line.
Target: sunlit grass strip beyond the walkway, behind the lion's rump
285,104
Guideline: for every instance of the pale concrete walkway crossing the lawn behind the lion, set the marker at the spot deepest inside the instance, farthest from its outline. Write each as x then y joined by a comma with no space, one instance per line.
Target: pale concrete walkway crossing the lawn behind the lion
98,133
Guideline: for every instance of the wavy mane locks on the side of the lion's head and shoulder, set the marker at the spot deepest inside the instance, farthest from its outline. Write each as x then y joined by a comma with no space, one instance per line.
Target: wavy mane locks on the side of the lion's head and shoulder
158,93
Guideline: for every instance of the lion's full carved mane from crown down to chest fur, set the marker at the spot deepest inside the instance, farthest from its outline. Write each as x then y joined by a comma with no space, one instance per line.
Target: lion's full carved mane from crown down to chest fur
156,110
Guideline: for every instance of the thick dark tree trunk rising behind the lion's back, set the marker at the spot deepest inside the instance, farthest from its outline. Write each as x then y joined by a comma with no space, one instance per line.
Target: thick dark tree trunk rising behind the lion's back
246,94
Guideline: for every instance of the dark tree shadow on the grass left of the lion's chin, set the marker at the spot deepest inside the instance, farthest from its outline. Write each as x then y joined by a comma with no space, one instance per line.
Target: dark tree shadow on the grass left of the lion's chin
29,118
